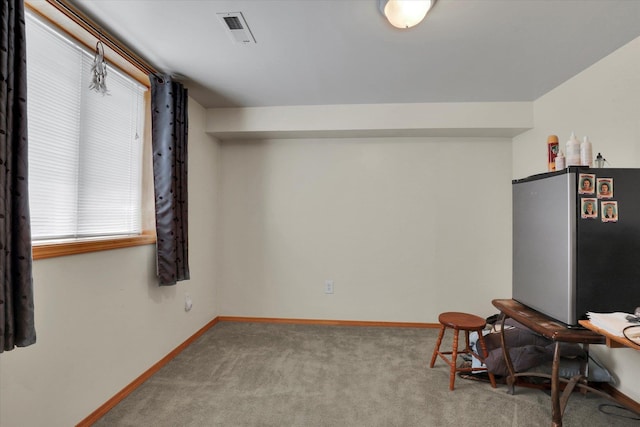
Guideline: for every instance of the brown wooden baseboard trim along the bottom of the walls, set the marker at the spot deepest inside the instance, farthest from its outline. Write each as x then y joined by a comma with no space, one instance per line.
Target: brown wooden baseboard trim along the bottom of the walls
118,397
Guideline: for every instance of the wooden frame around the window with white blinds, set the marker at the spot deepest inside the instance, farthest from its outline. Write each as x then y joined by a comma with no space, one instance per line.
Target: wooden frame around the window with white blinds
54,16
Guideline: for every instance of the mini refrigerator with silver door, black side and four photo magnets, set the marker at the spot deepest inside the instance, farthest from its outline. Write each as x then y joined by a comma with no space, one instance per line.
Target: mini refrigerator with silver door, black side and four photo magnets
576,244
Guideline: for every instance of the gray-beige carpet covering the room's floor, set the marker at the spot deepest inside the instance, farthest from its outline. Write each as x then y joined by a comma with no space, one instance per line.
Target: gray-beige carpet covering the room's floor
255,374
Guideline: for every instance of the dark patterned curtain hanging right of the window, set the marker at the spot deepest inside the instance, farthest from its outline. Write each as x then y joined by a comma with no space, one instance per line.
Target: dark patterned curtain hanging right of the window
169,123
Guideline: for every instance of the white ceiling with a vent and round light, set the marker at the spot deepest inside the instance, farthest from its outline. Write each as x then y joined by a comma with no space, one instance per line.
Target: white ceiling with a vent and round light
325,52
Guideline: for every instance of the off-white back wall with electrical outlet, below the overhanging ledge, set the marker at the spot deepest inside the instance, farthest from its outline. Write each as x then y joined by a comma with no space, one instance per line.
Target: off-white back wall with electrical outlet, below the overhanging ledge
406,227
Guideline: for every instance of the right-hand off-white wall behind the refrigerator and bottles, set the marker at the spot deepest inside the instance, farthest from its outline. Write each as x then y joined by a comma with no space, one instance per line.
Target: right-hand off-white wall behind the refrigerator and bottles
602,102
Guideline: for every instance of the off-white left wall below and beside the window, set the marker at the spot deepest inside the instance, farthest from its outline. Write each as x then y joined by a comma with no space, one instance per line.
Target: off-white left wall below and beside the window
101,319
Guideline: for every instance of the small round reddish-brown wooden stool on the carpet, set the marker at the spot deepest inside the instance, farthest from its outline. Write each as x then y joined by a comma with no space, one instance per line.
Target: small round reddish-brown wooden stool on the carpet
461,322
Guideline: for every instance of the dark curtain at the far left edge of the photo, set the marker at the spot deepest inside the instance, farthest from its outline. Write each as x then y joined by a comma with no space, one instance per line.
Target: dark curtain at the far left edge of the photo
16,293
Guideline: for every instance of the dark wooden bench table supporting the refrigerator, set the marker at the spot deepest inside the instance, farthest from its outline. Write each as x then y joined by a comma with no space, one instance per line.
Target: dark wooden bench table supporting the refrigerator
558,333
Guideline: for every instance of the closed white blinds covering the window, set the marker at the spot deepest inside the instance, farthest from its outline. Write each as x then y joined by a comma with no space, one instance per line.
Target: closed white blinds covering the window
85,149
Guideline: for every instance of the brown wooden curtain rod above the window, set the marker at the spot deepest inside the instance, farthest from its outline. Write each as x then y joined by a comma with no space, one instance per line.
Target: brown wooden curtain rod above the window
88,24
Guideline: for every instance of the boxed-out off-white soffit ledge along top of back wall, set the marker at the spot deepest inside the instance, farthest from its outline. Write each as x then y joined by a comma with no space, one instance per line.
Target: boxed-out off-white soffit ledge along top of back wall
471,119
